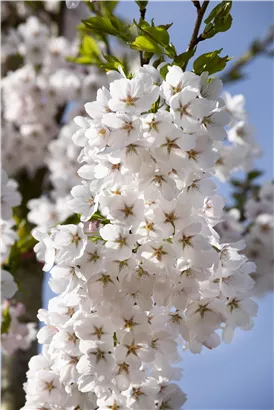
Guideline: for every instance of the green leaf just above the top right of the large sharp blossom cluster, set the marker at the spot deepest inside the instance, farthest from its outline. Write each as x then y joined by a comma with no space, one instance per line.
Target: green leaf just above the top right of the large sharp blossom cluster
210,62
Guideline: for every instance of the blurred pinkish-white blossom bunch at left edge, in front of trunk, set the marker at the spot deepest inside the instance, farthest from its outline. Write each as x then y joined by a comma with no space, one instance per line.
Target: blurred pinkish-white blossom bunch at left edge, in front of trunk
20,335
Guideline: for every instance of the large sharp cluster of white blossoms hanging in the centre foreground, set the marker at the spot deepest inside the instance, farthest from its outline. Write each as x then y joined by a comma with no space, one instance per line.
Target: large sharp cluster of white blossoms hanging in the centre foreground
153,277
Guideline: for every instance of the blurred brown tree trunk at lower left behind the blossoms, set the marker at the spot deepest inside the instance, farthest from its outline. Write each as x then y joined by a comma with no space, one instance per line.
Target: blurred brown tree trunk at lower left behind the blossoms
30,277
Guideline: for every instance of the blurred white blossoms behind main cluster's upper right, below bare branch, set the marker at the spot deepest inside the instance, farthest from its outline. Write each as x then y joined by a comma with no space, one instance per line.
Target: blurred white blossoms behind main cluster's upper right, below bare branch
239,149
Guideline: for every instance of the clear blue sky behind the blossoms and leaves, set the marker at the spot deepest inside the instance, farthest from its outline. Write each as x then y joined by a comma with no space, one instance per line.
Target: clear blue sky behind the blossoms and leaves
239,375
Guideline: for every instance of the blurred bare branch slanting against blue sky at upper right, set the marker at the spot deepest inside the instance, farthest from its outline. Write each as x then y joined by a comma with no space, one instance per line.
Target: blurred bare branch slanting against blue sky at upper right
258,47
